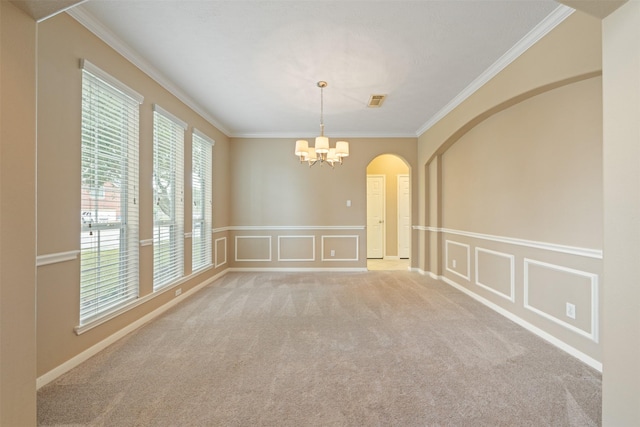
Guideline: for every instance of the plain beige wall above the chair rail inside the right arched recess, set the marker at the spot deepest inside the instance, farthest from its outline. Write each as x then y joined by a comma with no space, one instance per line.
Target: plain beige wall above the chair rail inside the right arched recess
532,171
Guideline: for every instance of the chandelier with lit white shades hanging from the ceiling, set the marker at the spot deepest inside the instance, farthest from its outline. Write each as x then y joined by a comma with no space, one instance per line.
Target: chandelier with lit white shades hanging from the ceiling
321,152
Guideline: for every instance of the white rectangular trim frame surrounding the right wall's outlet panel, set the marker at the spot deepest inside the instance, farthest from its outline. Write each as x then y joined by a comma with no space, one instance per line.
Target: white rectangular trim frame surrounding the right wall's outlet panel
593,335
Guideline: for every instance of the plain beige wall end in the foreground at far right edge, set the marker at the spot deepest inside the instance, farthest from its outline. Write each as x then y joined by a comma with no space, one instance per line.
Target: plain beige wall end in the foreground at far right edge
621,329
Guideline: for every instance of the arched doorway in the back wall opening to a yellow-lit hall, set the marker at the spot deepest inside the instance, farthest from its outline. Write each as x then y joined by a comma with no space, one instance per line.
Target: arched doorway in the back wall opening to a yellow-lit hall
388,213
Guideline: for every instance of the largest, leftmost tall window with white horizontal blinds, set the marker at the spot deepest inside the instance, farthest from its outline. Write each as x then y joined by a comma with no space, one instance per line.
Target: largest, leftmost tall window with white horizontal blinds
109,208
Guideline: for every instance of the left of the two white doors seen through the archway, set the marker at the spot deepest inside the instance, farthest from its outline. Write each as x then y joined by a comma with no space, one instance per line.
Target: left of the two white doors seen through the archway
375,216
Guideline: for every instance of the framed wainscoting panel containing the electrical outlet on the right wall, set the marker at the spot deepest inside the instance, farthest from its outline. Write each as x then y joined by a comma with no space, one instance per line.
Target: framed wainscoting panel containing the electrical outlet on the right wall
549,289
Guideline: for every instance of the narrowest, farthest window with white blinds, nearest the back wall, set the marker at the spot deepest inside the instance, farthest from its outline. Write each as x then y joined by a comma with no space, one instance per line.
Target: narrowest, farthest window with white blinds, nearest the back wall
201,189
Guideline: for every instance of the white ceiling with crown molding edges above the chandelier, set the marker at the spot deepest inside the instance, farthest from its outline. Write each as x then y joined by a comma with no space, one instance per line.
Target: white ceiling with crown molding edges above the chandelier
251,67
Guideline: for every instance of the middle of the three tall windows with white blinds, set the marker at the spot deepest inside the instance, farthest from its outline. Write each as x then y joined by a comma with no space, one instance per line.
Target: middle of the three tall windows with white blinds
168,196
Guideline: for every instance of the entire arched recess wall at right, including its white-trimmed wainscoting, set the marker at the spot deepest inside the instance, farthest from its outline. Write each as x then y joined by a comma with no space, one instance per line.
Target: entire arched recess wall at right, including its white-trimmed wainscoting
532,172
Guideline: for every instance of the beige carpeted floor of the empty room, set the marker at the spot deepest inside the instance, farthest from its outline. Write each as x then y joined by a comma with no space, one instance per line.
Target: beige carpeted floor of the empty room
327,349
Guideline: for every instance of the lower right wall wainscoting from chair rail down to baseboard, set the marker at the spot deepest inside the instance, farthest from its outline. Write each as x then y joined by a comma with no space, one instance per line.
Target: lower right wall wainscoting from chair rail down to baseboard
552,289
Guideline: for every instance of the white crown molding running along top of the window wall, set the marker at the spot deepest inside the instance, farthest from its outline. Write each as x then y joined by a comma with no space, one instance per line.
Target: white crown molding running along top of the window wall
106,35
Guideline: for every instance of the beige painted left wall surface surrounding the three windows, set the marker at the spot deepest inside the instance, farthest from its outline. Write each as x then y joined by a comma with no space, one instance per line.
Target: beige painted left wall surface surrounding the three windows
62,42
